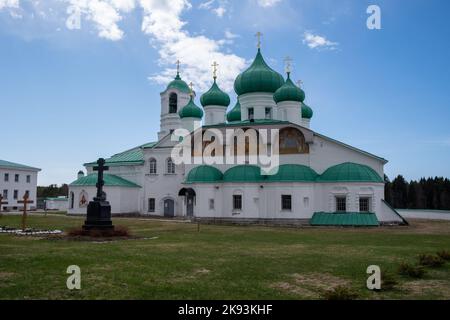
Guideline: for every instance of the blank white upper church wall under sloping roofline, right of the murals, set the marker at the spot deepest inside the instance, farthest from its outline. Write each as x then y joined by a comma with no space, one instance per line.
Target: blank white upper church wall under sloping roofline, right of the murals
325,154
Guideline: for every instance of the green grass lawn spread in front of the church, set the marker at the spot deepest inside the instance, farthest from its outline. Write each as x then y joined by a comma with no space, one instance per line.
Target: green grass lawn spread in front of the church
175,261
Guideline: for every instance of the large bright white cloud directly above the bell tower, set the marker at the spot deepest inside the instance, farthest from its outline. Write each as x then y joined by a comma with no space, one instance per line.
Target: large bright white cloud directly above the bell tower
162,21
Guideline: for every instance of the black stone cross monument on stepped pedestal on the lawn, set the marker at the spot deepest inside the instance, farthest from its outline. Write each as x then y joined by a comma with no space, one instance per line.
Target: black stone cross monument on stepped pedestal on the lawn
99,210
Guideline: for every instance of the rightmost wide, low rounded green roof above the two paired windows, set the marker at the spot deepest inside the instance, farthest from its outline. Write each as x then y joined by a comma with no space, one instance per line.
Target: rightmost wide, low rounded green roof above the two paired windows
350,172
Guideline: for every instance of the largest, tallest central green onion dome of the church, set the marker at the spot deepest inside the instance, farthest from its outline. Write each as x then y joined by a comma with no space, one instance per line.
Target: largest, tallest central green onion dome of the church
259,77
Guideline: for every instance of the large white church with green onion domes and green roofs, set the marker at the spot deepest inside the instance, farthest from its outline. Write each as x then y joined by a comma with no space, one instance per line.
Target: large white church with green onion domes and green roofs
318,181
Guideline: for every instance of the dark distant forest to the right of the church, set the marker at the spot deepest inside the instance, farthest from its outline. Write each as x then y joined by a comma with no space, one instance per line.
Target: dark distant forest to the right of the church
431,193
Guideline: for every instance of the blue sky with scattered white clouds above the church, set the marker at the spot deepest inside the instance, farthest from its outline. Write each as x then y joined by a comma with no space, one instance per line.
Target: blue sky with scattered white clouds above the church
80,79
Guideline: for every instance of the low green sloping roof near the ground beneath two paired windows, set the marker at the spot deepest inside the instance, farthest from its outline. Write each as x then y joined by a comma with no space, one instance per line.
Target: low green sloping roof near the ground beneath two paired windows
344,219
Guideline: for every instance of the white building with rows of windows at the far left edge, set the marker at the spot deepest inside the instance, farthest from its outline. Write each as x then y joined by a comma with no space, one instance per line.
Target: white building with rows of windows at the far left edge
16,180
